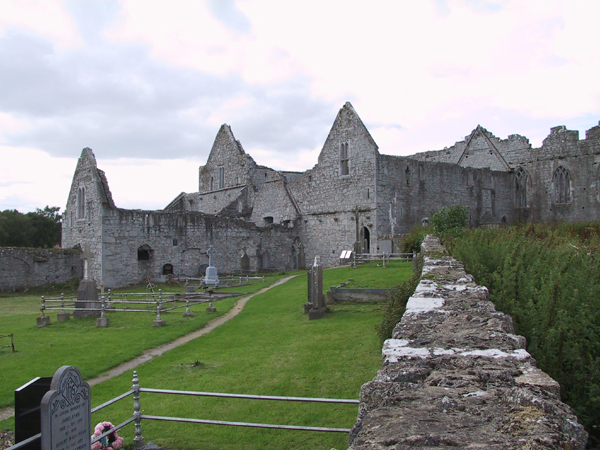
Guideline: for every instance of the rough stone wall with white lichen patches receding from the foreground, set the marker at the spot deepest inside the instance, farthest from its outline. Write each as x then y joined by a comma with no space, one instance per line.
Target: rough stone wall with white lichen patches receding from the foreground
455,375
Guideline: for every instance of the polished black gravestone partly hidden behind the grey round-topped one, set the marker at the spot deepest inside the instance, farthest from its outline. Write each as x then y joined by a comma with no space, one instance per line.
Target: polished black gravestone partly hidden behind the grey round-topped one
27,410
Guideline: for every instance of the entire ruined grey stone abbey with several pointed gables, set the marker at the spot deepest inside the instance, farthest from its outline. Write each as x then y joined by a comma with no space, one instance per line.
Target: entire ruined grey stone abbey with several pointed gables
354,198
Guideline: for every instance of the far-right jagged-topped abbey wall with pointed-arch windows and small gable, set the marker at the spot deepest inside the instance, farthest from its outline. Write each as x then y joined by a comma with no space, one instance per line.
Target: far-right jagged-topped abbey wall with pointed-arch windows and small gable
562,148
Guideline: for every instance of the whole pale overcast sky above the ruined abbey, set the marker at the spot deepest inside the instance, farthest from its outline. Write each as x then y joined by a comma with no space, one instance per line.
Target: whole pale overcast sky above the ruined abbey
147,84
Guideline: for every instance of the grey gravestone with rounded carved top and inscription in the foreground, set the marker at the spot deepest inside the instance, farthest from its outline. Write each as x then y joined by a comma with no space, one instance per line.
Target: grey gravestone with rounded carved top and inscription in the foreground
65,411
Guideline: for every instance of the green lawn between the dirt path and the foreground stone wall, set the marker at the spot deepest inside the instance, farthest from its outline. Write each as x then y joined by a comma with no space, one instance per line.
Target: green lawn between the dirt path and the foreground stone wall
270,348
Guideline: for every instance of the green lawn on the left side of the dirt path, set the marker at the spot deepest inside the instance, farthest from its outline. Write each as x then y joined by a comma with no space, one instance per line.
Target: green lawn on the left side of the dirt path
78,342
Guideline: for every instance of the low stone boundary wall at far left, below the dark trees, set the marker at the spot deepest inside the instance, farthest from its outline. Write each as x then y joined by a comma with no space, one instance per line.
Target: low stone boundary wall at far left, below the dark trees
25,268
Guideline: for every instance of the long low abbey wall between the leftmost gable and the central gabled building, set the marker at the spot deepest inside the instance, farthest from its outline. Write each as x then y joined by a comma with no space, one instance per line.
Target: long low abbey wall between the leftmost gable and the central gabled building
182,240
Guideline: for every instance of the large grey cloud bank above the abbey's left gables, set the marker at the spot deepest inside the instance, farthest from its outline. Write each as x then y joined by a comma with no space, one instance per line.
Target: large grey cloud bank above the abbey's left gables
121,103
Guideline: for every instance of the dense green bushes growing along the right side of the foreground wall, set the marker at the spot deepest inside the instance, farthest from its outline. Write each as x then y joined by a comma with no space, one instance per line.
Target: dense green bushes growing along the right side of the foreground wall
548,279
